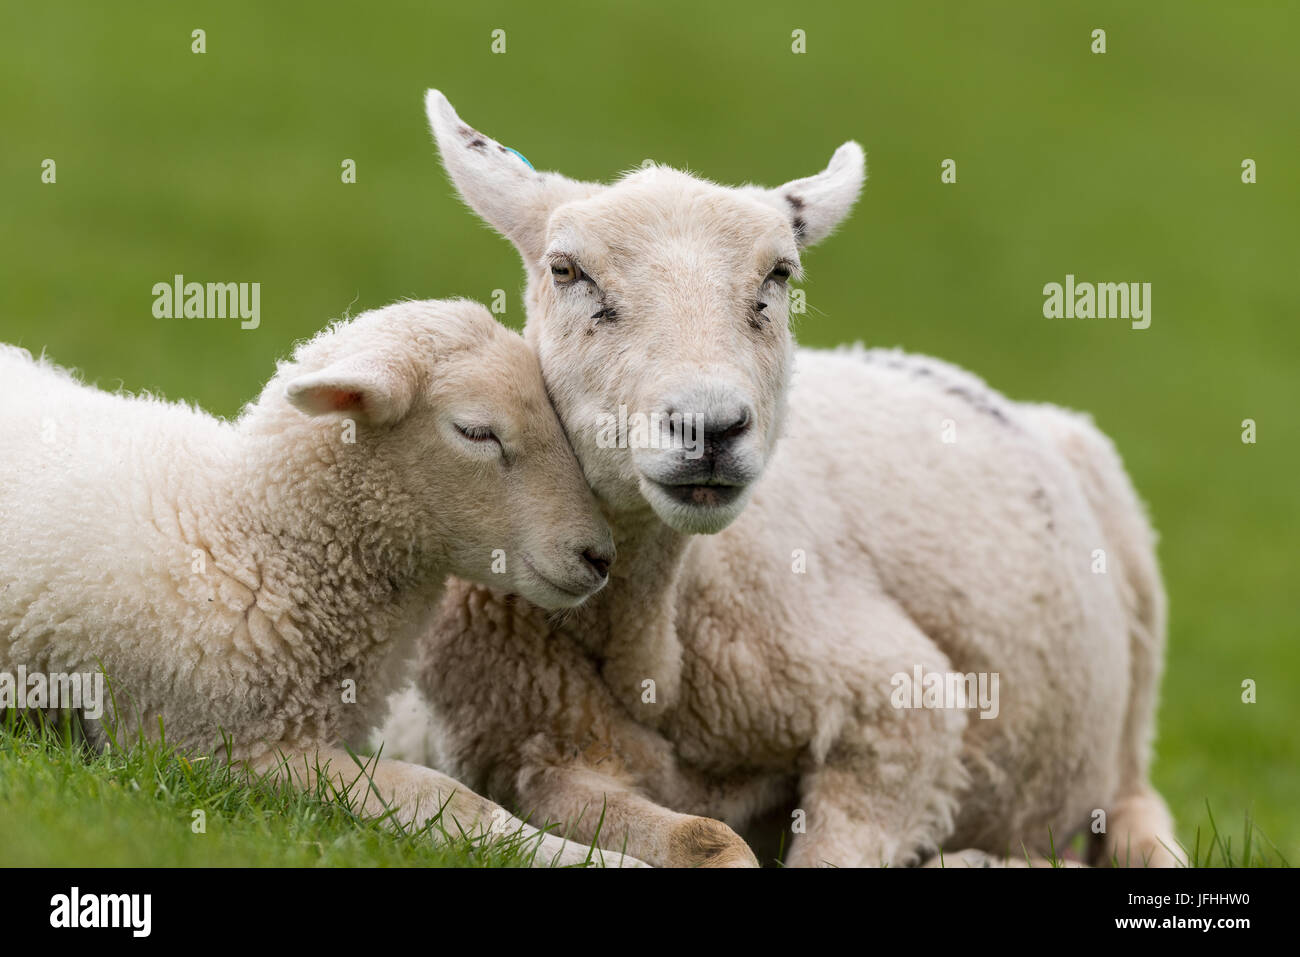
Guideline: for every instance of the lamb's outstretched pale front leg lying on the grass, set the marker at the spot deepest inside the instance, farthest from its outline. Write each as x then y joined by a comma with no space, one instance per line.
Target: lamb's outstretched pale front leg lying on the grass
413,795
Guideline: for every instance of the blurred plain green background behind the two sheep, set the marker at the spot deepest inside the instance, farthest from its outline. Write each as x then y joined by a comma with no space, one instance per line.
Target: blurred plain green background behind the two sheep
1116,167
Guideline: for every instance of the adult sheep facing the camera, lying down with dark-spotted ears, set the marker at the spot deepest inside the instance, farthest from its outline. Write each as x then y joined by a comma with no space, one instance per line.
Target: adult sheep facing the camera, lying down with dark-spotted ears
770,597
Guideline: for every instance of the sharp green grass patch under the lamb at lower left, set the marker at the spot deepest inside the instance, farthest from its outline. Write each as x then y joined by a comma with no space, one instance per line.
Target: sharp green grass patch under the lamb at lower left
138,807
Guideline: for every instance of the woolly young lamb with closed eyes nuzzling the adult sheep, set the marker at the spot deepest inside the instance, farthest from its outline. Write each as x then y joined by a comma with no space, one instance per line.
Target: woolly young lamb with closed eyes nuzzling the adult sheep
259,584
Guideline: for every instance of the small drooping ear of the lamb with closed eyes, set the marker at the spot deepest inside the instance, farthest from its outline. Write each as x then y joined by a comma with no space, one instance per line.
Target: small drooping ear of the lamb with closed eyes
363,387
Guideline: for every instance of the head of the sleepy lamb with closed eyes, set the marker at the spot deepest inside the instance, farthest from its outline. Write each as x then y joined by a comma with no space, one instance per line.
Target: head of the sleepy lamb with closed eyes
456,453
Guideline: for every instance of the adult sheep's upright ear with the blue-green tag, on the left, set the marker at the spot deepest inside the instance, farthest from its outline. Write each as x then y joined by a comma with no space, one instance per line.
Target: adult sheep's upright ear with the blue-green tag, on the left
497,183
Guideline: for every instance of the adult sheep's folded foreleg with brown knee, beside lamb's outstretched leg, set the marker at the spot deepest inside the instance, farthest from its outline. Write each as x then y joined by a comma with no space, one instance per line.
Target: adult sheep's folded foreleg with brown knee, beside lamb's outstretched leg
590,800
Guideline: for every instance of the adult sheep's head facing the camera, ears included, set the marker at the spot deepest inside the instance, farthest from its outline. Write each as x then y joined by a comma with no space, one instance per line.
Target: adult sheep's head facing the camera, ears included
658,308
